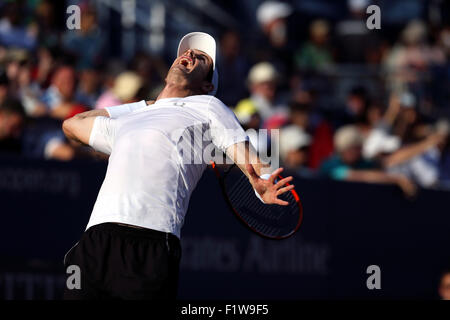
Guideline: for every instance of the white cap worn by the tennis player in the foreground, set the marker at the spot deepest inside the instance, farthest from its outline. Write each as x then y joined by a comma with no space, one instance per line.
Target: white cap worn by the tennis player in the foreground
206,43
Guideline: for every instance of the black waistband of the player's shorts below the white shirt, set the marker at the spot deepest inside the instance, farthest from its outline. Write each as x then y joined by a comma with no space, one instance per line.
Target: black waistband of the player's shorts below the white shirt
120,229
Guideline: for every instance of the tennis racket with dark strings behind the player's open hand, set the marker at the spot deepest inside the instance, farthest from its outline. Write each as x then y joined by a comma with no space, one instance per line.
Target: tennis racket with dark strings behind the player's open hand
270,221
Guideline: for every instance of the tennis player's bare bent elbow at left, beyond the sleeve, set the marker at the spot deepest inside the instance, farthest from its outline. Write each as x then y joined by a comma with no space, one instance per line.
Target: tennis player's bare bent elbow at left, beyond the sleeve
79,127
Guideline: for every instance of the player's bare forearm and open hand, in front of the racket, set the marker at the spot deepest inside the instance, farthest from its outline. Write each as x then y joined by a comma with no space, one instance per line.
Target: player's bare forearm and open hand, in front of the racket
259,174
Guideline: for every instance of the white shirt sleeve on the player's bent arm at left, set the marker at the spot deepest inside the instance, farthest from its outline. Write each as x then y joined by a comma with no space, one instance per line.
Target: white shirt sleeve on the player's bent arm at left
103,134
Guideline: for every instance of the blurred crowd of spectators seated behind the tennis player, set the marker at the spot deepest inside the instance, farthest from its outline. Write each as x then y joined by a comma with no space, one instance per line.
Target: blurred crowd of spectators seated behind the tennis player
349,103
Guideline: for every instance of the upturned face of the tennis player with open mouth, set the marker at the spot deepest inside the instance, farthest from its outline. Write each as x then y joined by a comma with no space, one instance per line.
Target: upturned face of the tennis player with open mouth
191,70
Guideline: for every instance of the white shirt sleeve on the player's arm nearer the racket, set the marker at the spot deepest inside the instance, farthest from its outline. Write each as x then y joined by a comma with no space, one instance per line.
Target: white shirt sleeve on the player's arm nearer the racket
224,127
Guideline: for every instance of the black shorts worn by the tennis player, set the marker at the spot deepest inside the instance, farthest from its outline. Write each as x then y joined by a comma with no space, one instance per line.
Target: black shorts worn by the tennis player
121,262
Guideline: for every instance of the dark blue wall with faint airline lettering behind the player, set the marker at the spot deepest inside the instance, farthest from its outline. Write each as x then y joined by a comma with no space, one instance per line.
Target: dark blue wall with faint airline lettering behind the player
45,207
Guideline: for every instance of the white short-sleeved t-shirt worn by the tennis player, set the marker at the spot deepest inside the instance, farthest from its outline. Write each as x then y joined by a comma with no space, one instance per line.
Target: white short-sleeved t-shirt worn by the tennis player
156,159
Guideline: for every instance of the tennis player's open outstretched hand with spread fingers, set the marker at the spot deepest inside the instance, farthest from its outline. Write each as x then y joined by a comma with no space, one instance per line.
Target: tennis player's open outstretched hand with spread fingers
268,190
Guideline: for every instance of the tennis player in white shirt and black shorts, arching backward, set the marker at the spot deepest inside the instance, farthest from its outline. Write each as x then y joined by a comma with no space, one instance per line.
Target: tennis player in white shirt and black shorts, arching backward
131,247
